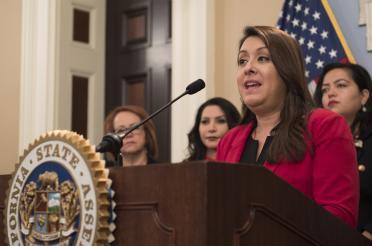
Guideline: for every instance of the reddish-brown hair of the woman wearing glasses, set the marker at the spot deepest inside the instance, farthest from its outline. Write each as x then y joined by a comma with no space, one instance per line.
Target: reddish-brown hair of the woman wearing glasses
149,127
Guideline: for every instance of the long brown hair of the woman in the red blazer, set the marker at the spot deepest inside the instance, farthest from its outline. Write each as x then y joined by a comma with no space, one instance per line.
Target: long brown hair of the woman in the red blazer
289,141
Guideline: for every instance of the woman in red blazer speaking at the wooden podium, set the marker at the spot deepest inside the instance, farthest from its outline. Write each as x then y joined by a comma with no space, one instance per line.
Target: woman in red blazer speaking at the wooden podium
310,149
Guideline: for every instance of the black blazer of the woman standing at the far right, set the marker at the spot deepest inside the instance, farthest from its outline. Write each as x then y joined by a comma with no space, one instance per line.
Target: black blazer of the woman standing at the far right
364,154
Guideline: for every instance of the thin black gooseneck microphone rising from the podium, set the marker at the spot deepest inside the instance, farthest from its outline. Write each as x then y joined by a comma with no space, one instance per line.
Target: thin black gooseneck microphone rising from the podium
112,142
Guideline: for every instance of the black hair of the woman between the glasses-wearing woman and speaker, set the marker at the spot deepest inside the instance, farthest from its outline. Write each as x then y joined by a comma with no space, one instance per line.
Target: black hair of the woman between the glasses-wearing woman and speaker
196,148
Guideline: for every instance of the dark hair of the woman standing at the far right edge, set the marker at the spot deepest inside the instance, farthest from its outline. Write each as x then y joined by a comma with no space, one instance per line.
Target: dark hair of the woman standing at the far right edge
363,80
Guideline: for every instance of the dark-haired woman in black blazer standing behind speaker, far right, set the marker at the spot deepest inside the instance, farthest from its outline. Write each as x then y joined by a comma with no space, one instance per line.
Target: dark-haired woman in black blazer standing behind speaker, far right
346,89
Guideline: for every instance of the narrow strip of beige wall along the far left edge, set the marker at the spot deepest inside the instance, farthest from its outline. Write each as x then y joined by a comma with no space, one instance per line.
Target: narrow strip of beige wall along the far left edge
10,45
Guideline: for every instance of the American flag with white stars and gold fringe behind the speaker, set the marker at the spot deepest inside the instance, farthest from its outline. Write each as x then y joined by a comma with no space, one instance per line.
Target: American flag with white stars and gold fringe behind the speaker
315,27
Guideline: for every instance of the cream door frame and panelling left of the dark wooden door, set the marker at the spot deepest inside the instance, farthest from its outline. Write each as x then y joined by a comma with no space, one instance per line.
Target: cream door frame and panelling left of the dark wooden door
47,66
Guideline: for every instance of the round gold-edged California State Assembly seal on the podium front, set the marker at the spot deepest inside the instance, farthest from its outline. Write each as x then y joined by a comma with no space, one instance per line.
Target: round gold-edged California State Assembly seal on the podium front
58,194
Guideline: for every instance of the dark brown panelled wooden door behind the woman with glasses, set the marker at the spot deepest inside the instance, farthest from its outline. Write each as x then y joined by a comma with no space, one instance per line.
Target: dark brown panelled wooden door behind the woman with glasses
138,60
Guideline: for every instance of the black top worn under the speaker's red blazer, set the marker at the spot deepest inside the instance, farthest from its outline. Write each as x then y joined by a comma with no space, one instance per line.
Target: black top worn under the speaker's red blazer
250,151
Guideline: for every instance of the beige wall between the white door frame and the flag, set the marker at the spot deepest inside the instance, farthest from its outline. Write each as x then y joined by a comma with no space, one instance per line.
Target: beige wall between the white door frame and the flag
231,18
